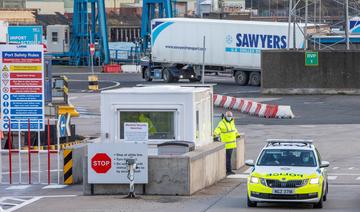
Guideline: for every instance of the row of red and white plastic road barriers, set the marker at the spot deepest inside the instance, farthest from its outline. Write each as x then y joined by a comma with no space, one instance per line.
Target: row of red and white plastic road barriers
253,108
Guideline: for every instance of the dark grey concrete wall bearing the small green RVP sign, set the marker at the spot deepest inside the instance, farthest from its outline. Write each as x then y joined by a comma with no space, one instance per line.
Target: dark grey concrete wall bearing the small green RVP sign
284,72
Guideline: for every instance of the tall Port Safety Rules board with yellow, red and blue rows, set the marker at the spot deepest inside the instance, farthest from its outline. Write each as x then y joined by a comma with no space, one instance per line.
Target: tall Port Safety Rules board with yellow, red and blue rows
22,87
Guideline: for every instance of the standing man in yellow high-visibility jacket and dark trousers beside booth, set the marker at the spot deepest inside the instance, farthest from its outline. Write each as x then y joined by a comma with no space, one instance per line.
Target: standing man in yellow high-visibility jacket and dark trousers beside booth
228,133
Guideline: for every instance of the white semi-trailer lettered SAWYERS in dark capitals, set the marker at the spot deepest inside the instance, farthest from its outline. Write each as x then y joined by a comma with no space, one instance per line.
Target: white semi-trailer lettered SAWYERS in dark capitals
232,47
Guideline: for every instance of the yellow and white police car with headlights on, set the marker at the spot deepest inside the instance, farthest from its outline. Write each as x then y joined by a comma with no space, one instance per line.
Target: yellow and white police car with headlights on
288,170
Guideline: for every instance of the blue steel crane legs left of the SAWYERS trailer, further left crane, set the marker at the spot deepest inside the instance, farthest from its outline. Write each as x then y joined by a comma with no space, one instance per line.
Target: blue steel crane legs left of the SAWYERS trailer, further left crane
88,29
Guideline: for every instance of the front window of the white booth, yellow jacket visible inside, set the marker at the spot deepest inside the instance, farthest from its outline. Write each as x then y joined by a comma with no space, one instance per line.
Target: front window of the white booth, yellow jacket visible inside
160,124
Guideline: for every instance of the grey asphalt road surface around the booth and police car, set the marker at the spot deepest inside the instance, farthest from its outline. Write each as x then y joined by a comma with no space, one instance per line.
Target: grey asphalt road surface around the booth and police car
332,121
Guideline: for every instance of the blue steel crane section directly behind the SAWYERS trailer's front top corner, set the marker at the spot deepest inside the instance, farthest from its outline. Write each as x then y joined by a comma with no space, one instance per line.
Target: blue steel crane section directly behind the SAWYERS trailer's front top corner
153,9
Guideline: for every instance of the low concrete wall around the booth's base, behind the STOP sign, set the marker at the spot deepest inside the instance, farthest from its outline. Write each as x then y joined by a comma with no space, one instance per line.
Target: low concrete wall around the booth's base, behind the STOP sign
172,175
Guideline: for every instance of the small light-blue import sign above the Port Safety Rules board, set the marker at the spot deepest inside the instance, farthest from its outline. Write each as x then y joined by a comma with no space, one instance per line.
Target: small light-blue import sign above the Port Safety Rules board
25,34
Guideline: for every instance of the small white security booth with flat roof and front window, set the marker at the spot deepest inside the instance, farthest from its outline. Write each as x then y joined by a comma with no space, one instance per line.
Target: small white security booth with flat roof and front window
173,113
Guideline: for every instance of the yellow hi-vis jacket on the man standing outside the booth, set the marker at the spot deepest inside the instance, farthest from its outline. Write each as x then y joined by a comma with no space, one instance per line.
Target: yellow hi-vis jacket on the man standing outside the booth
227,132
